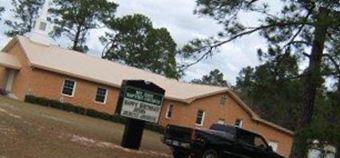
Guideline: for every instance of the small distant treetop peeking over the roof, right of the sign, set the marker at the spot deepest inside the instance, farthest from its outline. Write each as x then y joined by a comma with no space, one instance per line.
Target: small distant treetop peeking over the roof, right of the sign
214,78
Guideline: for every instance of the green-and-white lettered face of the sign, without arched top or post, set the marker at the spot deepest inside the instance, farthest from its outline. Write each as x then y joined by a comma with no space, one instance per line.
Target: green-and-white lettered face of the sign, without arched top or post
141,103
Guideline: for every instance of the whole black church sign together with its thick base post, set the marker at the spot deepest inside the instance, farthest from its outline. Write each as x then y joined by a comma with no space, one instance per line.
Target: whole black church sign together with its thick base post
139,101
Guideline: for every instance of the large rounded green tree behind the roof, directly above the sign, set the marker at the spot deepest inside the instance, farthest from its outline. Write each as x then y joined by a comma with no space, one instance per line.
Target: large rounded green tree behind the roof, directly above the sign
134,41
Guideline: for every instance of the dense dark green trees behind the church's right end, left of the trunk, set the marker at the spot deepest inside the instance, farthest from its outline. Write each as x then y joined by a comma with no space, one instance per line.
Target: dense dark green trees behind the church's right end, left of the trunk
271,90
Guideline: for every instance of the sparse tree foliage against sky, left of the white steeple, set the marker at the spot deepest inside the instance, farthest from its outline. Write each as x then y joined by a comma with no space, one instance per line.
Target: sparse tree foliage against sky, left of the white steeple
25,14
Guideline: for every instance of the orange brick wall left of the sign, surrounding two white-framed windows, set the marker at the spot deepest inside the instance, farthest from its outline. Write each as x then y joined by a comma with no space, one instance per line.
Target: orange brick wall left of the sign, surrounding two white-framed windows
84,95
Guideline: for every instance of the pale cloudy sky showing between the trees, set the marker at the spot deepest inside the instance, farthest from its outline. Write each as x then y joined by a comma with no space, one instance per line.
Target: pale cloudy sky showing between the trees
177,16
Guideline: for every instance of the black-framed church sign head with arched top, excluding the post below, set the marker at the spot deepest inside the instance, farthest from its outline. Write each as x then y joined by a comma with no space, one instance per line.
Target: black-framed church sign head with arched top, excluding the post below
140,100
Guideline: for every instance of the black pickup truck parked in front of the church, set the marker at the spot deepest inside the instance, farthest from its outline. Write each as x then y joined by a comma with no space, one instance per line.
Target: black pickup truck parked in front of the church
219,141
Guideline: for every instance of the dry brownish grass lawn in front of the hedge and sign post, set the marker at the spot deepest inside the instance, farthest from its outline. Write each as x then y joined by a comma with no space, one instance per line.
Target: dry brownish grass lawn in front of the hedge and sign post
33,131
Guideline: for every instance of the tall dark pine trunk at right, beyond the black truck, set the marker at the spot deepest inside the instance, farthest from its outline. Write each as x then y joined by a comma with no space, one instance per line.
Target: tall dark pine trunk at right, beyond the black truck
312,81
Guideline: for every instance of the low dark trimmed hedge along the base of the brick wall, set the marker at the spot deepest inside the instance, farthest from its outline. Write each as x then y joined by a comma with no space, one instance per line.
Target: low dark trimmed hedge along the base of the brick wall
88,112
